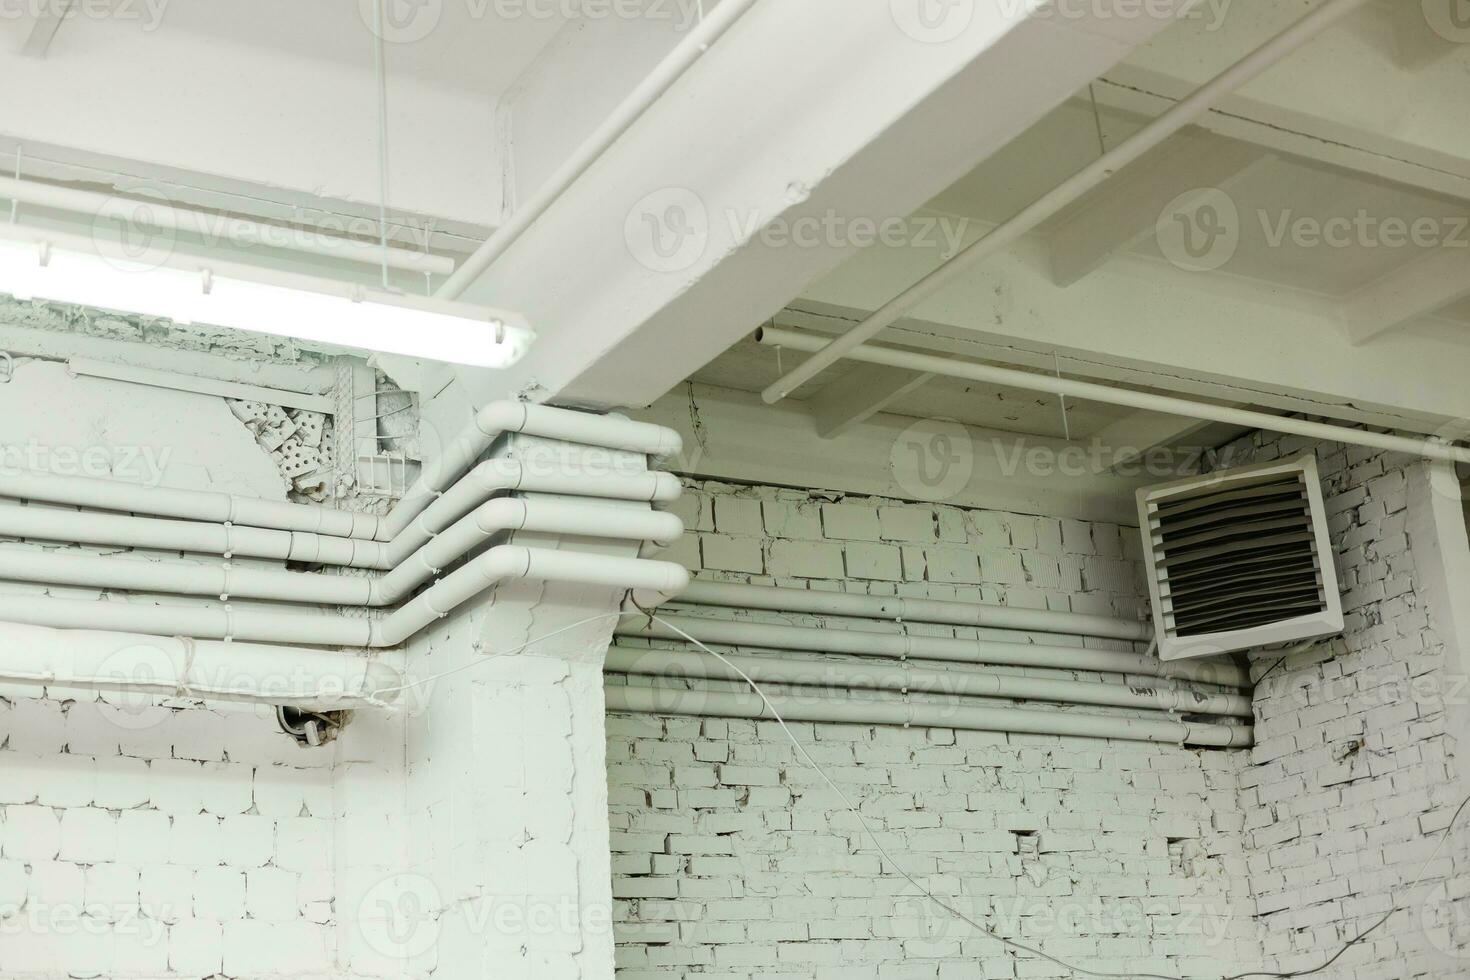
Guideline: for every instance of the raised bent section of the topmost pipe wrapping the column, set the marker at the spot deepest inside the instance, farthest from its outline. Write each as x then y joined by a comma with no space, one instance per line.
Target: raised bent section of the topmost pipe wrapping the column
499,418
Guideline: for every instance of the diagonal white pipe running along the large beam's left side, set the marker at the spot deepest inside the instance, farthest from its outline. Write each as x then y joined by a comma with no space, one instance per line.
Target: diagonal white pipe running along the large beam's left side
608,133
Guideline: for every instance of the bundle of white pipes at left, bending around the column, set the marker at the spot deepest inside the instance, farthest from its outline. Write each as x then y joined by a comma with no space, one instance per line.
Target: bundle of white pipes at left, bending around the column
221,652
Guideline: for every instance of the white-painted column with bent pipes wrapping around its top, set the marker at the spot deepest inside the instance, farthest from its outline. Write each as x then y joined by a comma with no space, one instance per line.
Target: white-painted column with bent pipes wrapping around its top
505,869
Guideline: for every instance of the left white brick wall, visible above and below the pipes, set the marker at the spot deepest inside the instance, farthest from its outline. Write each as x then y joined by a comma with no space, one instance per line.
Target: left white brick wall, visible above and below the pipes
152,837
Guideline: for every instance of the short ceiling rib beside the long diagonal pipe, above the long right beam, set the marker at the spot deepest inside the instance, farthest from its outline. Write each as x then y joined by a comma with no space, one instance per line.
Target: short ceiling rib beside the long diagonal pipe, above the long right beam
1127,209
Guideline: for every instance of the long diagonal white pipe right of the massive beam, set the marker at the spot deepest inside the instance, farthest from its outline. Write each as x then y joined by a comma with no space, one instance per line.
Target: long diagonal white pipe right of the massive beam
1003,236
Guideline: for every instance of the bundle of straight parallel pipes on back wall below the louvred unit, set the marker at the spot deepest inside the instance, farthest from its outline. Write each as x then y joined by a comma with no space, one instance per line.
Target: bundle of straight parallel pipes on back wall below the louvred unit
965,684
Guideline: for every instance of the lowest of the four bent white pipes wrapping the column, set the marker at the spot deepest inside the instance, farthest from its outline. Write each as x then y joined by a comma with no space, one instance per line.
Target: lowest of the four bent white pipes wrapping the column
650,581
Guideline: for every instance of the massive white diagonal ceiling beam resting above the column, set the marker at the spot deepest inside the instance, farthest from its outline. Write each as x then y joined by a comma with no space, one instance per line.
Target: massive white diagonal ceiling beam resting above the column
717,209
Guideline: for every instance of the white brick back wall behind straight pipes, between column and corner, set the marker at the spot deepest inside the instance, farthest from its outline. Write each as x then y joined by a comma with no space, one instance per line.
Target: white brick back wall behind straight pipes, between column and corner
733,860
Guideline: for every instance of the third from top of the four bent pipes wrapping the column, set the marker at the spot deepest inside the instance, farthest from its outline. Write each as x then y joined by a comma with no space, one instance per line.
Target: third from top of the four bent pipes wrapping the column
226,583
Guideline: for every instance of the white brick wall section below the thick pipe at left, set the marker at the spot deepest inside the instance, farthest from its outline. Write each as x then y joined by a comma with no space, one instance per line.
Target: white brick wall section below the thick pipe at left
161,843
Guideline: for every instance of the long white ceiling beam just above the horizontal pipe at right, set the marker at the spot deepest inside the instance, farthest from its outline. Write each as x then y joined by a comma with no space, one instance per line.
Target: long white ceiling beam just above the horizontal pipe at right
1146,323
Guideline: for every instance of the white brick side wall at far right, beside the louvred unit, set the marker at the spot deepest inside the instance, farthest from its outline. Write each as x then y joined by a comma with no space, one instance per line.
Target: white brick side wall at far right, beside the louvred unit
1353,777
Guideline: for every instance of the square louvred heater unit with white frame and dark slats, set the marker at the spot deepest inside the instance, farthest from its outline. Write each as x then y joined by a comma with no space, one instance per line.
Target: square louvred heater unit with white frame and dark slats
1240,559
